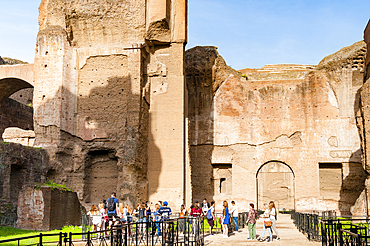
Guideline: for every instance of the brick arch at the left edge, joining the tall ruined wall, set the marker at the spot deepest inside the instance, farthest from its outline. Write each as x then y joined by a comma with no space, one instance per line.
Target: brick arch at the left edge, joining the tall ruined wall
14,78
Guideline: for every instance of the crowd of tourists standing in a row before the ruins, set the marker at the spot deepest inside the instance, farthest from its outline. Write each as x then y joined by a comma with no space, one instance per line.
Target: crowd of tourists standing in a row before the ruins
112,213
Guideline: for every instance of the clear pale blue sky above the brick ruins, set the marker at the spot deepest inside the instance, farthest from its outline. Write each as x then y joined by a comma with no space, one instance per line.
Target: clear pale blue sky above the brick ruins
247,33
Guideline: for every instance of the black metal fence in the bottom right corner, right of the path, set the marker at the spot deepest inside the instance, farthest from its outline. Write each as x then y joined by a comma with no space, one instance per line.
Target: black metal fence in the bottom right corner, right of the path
332,230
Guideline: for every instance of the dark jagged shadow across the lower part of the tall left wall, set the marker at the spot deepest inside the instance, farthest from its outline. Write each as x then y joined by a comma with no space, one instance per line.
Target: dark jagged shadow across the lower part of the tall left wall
109,147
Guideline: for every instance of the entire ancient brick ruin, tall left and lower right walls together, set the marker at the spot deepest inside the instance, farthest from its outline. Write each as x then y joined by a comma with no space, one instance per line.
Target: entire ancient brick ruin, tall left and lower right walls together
119,105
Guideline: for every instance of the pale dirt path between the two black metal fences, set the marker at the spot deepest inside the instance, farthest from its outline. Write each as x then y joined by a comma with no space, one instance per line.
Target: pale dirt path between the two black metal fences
288,233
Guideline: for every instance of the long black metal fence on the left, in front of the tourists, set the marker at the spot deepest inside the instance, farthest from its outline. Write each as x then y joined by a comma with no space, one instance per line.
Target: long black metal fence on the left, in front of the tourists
177,231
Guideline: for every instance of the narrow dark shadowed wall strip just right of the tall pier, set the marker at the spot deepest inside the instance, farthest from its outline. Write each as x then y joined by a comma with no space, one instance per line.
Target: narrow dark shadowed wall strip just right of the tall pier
200,82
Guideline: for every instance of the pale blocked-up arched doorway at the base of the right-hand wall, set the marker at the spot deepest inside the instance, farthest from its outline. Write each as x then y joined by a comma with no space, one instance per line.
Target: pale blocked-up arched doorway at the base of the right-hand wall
275,182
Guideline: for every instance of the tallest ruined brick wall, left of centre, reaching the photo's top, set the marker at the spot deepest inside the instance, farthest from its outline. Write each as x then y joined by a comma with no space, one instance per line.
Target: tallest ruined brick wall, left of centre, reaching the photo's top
100,97
